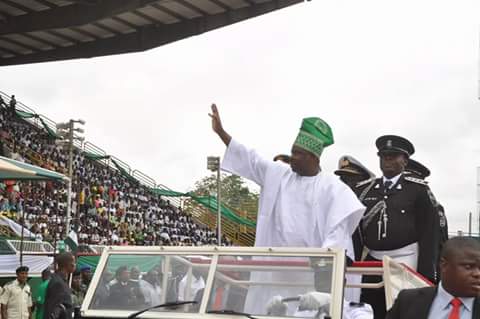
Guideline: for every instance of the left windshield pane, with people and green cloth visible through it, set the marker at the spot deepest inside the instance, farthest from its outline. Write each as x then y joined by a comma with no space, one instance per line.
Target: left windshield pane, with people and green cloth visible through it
134,282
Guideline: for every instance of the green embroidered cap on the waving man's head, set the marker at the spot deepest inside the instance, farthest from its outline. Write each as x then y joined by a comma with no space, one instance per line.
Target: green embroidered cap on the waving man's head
315,134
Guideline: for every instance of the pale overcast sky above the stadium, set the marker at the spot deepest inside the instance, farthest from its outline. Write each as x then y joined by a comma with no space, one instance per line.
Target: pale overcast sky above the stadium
367,67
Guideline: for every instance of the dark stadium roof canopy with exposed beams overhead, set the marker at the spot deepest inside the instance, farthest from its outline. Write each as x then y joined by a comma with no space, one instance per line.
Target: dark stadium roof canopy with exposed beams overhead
49,30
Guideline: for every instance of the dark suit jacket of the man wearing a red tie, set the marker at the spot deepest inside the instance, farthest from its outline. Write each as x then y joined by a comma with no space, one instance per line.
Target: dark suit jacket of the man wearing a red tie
416,303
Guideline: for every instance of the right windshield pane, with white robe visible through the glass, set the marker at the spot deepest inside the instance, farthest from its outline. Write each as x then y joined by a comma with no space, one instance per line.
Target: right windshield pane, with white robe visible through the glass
250,284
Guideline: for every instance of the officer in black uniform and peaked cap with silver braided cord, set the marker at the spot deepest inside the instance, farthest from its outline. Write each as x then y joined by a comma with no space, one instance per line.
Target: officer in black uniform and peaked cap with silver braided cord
400,220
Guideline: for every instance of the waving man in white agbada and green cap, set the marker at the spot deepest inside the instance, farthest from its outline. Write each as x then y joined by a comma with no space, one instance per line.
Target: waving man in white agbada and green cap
300,206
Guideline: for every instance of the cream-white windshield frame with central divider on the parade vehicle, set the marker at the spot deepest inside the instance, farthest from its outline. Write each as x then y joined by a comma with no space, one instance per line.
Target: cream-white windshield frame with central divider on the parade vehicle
338,274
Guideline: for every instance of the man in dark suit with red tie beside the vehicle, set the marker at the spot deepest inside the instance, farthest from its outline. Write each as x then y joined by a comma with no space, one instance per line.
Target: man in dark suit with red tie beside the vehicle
458,293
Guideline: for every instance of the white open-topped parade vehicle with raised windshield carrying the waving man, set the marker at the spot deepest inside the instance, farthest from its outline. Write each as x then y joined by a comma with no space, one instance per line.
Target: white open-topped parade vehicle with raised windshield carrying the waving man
229,282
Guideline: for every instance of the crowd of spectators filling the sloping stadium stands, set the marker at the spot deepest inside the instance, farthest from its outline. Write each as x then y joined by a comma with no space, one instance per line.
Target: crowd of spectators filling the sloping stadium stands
108,207
